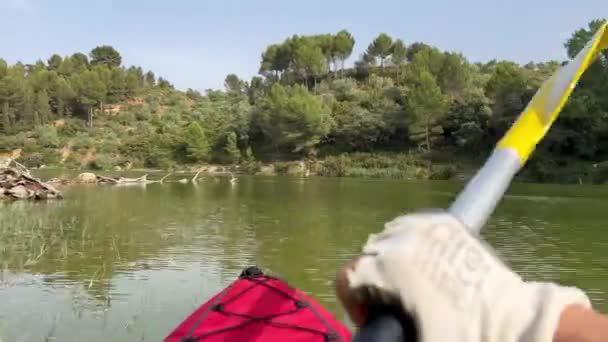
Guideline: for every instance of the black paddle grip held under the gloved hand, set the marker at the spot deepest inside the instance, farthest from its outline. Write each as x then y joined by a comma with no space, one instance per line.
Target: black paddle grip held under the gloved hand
387,324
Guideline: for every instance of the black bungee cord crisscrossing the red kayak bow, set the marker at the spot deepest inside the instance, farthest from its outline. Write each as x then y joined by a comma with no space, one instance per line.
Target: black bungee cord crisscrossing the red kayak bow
258,278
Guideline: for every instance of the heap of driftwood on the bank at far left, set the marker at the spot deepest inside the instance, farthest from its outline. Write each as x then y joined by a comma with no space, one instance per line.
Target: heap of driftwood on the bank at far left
17,183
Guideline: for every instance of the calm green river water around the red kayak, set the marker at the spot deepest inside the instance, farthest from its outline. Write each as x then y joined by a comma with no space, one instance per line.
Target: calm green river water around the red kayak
129,263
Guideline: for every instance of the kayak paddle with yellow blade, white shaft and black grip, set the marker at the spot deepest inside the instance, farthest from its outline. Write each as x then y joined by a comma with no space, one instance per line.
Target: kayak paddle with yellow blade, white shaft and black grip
477,201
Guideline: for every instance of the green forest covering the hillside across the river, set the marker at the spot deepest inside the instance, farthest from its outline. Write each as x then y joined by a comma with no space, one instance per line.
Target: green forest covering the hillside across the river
92,111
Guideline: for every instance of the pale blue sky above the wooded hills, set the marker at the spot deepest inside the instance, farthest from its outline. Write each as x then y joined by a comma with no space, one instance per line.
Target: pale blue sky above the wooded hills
195,43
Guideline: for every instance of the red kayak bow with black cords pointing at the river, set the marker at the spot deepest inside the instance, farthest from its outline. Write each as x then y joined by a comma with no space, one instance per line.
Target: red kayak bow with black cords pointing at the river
258,307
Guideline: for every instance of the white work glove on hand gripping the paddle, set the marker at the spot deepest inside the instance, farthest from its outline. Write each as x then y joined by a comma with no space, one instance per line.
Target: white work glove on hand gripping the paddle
454,287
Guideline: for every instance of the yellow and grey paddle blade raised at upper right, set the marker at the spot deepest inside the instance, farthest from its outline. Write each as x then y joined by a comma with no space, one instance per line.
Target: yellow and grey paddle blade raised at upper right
545,106
